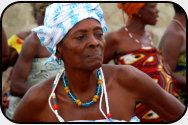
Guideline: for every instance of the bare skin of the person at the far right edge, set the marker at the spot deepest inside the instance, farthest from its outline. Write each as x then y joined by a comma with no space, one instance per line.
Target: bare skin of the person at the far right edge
173,44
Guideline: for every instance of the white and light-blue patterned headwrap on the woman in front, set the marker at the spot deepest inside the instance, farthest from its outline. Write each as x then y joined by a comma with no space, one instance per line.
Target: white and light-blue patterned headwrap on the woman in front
60,18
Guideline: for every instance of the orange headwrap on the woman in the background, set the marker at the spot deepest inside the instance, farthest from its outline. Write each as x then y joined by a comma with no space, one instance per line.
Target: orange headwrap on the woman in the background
130,8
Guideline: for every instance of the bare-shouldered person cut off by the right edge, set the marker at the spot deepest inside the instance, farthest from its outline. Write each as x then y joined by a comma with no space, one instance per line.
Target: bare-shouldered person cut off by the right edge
173,47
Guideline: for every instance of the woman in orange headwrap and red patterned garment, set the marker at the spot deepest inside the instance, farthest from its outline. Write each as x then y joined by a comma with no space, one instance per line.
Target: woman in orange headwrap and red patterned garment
132,45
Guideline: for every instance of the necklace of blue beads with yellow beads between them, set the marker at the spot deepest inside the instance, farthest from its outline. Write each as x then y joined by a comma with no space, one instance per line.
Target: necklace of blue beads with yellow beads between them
77,101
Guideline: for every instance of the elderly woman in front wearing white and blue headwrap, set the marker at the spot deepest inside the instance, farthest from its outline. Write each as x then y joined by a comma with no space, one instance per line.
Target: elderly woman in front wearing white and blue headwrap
87,90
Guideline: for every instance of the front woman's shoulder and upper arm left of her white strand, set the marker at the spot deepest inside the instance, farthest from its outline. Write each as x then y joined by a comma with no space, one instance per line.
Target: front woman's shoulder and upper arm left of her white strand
33,103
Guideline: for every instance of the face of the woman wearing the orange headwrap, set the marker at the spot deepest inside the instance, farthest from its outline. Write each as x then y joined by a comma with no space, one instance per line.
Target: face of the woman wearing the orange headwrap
149,13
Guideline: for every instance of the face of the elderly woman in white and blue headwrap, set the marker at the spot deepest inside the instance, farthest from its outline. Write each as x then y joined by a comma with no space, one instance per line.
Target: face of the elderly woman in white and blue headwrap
83,46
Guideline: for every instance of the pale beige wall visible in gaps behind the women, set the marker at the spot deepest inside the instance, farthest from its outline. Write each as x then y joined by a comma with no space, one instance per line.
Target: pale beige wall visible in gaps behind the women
18,17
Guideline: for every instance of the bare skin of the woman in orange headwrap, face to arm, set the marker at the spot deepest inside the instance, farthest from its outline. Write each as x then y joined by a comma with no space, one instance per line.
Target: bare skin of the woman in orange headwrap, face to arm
119,42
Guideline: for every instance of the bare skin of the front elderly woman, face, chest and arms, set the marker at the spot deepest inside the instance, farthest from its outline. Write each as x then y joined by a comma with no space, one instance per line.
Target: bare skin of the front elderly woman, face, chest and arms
86,41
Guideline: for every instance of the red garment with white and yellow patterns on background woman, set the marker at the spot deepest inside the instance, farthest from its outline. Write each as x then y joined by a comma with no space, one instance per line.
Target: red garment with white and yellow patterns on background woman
150,61
